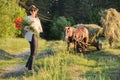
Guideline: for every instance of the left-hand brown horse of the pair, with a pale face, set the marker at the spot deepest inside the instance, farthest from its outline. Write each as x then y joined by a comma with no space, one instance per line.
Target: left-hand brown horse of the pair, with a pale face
68,35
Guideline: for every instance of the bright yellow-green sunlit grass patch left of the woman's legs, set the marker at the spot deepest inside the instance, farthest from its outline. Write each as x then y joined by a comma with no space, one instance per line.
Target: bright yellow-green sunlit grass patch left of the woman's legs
13,45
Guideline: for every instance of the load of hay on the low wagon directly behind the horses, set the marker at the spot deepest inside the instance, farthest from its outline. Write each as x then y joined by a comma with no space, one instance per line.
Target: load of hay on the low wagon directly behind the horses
94,31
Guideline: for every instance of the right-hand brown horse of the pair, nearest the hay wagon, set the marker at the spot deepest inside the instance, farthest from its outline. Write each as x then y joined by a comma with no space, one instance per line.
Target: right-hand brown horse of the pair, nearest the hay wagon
81,37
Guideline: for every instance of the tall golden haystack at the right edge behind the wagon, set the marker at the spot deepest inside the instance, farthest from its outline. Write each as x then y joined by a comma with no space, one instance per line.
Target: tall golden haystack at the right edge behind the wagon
110,20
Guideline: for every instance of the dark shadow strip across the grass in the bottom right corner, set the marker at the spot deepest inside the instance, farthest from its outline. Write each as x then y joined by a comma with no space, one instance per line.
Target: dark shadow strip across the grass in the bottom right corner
105,74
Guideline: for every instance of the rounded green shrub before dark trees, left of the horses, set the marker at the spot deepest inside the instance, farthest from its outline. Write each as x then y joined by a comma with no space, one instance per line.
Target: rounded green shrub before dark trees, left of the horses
57,27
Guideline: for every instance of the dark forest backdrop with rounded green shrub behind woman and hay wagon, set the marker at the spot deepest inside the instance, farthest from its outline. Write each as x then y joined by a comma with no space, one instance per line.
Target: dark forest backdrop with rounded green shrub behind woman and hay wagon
55,14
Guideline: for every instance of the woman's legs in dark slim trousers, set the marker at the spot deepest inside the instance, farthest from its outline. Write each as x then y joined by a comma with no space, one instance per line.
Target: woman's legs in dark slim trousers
33,49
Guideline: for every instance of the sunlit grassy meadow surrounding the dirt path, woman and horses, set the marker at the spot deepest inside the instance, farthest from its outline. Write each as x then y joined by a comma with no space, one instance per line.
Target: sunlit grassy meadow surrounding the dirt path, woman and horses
57,64
